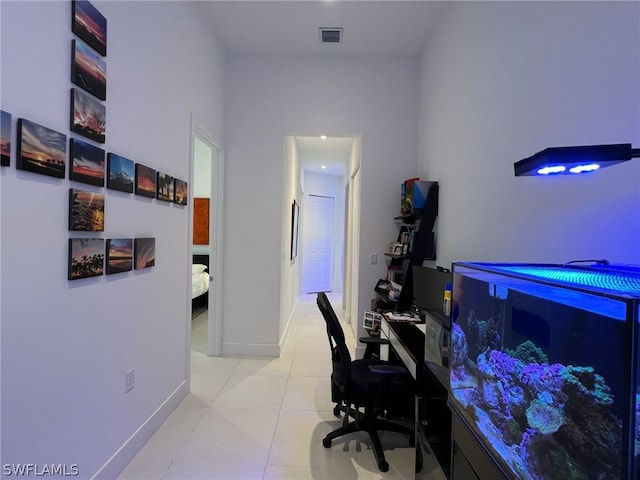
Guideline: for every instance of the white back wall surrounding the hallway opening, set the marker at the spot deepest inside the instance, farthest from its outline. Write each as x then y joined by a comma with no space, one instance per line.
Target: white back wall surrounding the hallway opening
270,97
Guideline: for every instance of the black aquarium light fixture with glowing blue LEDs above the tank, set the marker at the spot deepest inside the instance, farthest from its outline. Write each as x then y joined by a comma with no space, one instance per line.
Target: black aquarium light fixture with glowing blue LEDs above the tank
574,160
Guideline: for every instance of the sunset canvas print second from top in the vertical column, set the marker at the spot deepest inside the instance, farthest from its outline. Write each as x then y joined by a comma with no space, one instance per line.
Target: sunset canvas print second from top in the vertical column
88,69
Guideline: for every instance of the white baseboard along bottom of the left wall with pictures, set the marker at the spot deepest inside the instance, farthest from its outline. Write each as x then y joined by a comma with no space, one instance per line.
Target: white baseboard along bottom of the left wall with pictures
121,458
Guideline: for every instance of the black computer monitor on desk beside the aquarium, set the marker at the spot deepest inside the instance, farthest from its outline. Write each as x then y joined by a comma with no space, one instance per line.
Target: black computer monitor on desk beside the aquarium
428,291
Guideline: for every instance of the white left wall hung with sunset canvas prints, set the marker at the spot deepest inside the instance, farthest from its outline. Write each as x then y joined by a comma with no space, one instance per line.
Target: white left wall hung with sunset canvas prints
67,345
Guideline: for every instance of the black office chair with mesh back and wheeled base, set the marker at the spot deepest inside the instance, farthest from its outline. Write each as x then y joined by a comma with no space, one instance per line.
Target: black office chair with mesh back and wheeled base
372,385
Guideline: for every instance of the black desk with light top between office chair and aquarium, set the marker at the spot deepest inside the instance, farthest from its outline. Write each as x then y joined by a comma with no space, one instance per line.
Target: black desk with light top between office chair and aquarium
432,415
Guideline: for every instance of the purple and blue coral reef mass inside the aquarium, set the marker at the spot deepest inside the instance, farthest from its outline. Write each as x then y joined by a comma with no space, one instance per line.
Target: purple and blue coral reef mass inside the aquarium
547,421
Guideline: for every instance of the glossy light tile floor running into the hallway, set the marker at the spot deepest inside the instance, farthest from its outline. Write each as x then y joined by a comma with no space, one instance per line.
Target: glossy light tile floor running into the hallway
264,418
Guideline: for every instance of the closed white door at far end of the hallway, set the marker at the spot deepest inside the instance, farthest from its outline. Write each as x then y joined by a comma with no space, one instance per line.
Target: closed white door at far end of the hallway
317,244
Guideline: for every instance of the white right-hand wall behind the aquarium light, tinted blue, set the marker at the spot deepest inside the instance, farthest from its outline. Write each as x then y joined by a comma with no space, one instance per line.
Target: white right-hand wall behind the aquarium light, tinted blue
503,80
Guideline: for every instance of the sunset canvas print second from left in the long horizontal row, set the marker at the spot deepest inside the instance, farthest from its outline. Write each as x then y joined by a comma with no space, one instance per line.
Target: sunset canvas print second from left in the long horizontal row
40,149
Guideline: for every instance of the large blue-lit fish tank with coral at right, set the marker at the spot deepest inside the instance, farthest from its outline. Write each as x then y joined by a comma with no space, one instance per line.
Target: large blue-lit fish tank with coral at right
544,367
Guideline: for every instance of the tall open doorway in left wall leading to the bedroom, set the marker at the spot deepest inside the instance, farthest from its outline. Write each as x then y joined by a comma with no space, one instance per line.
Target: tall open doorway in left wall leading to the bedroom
207,180
